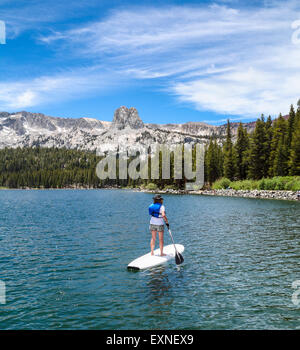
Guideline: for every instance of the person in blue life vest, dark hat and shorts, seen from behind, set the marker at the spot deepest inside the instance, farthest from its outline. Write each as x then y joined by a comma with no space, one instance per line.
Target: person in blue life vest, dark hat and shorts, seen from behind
158,217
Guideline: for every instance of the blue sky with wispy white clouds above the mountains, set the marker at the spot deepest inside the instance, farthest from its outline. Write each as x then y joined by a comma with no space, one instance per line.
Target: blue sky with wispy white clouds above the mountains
175,61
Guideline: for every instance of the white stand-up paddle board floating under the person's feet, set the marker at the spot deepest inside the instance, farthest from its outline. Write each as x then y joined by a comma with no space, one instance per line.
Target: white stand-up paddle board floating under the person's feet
146,261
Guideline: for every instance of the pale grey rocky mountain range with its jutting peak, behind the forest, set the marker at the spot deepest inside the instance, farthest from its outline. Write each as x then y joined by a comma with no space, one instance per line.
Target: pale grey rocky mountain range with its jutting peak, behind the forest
25,129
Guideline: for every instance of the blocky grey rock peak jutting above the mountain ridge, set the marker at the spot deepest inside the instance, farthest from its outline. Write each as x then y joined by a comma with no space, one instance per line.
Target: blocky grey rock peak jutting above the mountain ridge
124,117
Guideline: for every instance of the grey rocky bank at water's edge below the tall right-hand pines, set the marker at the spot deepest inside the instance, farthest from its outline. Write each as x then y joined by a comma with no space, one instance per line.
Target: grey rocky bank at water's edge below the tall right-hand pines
264,194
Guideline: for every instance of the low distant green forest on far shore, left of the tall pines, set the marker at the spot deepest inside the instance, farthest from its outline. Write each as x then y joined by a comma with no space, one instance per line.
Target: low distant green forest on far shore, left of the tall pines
37,167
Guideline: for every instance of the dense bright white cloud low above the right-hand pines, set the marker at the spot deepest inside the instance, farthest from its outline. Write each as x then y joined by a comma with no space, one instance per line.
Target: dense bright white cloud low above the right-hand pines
245,93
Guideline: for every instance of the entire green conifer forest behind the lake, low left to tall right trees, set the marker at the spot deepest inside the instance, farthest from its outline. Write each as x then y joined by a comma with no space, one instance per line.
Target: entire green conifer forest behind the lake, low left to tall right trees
272,149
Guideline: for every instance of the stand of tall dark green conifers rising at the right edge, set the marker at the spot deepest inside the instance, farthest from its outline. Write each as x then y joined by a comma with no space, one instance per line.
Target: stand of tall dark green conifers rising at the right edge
272,149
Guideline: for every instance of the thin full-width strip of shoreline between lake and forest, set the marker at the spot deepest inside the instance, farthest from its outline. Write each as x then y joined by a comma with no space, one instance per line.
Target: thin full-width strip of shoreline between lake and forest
258,194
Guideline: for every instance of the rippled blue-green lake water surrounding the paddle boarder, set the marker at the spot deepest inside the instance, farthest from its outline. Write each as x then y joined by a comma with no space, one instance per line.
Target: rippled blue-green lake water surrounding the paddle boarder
64,253
